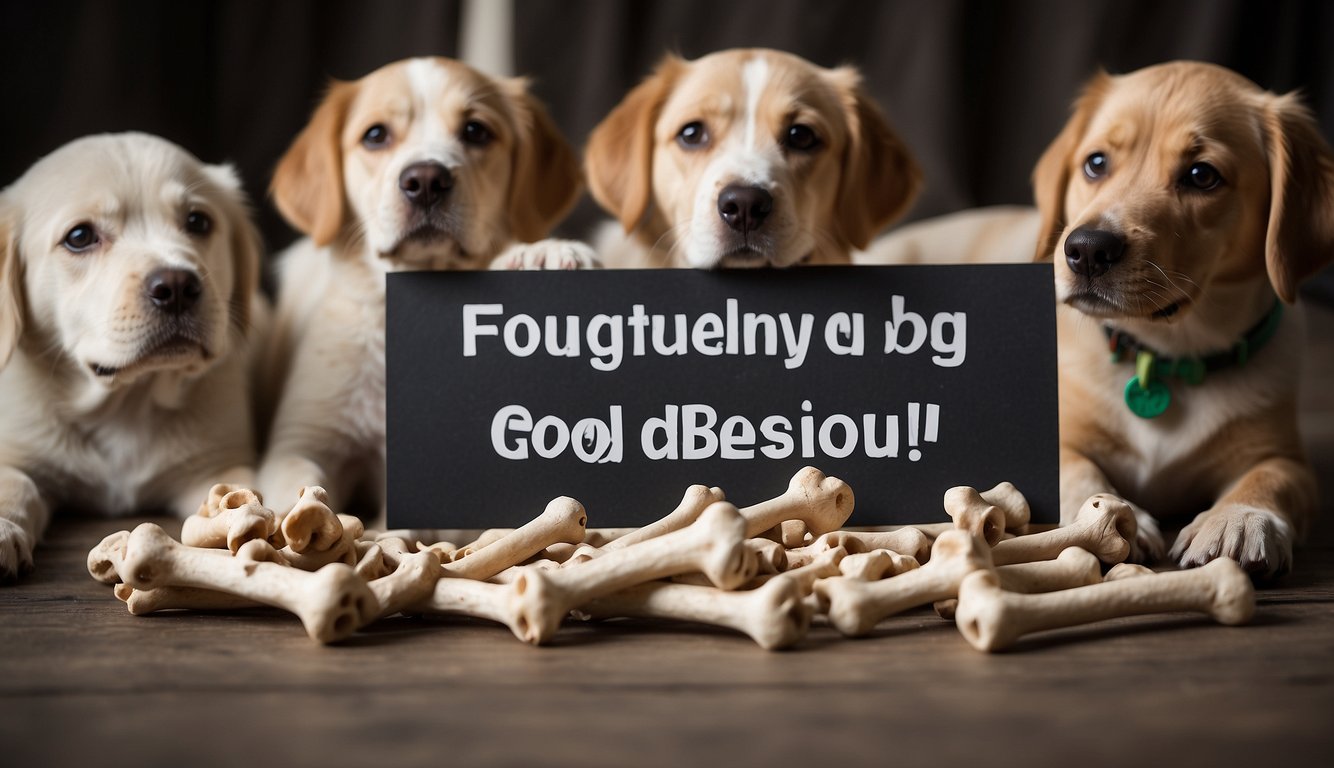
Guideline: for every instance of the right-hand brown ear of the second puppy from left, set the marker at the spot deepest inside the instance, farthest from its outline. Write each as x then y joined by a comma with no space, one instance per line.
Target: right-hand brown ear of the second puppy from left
546,171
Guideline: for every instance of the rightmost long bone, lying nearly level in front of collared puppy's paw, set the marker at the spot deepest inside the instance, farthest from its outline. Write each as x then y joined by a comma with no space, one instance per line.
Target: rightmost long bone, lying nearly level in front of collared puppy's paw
992,619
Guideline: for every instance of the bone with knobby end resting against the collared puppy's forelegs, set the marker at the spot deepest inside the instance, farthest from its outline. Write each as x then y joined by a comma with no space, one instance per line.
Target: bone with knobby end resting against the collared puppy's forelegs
1105,526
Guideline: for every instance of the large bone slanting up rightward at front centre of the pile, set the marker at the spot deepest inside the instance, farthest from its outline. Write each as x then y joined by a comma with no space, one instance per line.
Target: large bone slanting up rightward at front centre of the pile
714,545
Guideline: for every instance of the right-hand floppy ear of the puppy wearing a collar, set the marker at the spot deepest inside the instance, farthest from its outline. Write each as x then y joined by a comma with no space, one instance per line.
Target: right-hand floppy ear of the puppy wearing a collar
1301,211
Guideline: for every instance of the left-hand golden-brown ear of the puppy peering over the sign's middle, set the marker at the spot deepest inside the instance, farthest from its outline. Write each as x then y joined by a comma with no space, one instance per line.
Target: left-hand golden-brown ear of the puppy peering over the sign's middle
620,157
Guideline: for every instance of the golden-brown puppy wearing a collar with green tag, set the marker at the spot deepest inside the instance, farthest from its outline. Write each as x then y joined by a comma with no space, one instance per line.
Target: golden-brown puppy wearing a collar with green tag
1183,207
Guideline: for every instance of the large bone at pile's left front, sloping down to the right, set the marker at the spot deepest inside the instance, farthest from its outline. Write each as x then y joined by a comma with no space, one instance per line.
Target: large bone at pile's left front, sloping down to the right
331,603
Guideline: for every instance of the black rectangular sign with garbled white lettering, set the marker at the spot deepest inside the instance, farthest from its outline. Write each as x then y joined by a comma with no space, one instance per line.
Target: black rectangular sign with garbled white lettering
624,387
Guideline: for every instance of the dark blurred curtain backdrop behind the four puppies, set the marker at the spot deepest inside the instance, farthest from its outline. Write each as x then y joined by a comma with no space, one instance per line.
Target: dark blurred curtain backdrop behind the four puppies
976,87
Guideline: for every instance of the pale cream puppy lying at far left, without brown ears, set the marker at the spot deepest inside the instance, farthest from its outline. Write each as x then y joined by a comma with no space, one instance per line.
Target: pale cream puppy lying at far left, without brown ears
127,277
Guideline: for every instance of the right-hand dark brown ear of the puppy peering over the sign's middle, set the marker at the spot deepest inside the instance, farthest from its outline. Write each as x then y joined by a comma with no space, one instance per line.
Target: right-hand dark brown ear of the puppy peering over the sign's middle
881,178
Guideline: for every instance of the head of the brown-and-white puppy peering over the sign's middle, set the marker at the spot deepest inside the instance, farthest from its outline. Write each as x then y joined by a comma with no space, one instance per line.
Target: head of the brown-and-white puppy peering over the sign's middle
746,158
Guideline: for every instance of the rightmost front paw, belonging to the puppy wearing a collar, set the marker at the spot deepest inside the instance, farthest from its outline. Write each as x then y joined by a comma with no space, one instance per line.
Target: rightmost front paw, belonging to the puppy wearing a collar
1259,539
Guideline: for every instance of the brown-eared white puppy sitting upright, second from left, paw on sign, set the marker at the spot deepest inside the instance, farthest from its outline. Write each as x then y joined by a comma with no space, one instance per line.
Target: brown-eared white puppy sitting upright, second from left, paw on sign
422,165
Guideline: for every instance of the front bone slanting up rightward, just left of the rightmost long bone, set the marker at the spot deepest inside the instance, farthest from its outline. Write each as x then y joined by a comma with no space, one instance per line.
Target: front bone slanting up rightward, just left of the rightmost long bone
856,607
